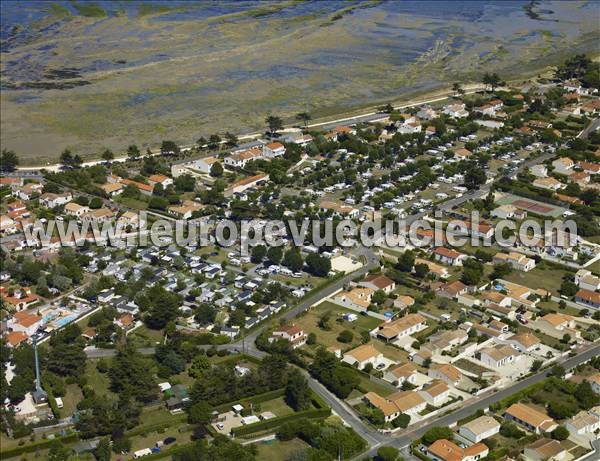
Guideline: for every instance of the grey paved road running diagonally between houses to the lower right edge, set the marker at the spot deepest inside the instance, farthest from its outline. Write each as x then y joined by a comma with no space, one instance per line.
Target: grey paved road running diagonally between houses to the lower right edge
406,437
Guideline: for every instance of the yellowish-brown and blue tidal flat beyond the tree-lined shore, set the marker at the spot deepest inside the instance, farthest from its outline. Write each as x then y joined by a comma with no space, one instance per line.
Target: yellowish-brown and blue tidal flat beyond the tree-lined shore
126,78
